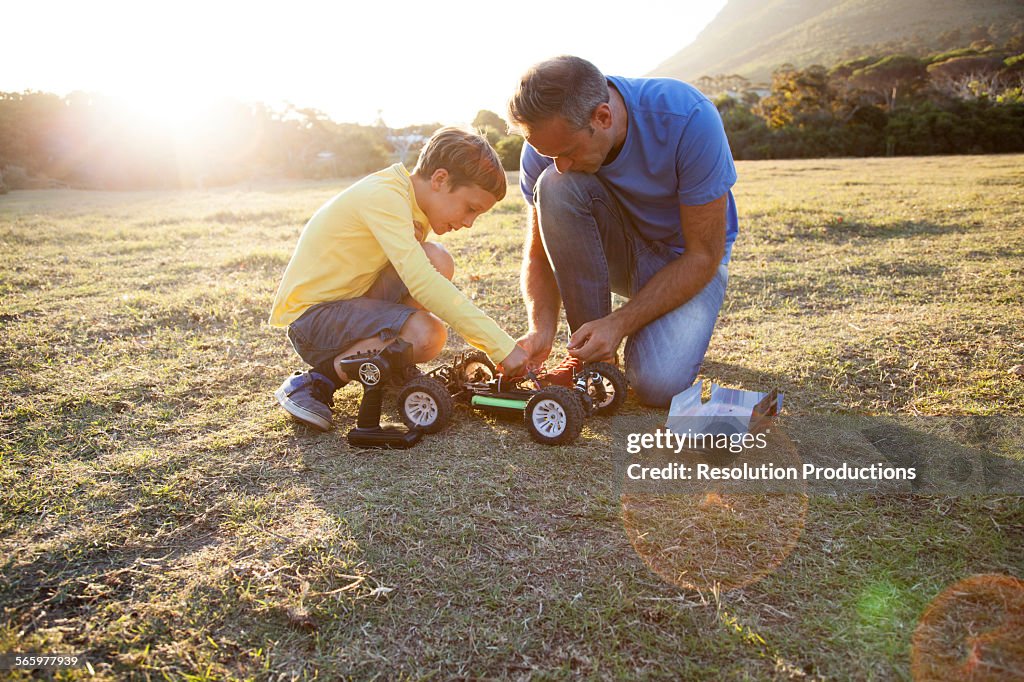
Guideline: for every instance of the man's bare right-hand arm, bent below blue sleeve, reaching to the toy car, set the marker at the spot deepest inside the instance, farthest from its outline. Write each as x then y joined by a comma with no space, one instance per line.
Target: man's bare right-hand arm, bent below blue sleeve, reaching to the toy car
704,232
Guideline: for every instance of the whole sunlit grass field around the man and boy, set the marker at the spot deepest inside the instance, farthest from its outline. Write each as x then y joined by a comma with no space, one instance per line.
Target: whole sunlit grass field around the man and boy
160,514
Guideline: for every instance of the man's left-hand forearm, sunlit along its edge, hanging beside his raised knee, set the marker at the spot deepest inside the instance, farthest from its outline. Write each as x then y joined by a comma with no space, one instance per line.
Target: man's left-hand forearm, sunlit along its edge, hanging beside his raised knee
540,292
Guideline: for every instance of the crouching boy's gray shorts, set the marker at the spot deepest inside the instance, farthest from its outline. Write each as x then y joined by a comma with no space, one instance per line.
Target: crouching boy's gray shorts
327,330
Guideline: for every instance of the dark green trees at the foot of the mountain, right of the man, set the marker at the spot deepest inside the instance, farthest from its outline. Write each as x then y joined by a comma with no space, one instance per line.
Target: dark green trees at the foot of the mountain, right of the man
966,101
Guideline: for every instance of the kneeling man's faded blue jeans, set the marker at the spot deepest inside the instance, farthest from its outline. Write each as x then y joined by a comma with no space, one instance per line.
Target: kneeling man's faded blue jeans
594,249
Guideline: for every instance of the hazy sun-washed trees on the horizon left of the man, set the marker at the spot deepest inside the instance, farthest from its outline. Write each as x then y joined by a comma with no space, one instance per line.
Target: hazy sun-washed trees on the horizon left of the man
92,142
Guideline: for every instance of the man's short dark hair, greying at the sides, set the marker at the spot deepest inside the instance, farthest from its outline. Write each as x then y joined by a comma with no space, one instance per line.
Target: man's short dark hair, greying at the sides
566,87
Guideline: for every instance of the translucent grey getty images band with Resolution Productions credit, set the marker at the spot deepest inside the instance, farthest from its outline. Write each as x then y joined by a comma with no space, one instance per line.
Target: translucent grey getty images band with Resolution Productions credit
830,455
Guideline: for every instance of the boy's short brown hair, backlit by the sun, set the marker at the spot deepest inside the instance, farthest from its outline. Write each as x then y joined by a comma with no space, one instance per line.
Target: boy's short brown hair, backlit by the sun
468,159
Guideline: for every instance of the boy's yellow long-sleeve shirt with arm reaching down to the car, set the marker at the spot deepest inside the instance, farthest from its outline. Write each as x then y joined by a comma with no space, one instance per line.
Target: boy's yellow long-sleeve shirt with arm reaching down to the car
353,238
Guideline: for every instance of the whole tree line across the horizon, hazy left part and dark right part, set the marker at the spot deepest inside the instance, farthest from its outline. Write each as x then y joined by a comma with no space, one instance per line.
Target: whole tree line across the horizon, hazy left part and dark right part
966,101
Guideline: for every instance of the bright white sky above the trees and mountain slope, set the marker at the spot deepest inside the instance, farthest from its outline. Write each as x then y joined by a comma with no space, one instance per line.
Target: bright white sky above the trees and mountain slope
414,62
